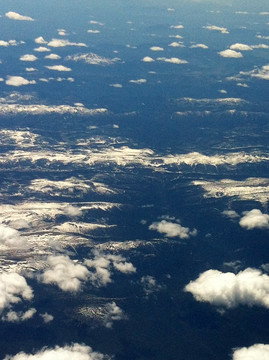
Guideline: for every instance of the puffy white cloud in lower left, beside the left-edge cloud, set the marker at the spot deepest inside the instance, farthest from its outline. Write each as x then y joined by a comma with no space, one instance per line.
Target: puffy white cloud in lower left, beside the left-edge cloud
65,273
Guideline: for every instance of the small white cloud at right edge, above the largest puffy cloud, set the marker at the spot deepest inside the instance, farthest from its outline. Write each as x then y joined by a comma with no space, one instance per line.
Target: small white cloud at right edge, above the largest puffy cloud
254,219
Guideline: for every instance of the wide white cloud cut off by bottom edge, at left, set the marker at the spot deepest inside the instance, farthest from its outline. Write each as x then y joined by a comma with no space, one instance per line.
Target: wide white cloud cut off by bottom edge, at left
74,352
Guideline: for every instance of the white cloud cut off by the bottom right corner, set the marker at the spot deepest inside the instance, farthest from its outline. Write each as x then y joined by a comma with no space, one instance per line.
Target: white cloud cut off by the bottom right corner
254,352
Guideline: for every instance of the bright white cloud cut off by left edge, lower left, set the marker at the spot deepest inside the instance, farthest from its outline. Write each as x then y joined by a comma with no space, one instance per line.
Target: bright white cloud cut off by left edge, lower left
13,288
